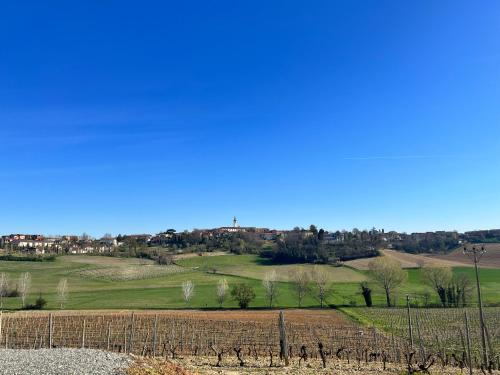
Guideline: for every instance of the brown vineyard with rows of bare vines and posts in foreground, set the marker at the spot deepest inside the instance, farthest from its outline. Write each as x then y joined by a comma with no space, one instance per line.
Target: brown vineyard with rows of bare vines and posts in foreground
324,336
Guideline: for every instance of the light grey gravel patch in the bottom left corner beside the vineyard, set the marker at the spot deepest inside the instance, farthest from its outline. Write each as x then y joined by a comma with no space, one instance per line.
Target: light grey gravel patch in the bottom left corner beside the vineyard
62,362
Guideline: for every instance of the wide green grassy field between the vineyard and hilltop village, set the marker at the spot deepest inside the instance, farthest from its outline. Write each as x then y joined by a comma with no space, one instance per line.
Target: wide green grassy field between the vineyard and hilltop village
113,283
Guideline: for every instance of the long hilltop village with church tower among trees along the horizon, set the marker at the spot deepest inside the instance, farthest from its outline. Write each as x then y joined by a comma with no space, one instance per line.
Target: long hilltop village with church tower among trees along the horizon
70,244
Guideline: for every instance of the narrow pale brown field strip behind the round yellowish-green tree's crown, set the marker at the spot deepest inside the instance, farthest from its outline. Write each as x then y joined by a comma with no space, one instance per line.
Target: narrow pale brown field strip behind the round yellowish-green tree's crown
408,260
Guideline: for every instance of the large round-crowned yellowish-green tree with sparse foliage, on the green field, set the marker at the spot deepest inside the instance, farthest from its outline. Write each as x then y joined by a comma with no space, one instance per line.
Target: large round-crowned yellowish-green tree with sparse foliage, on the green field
388,274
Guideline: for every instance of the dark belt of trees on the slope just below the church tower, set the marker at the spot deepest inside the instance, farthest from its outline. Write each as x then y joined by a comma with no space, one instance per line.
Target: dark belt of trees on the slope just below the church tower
297,246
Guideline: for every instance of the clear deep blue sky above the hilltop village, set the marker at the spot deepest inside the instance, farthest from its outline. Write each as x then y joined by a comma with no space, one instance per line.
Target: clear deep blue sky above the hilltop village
129,117
